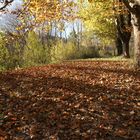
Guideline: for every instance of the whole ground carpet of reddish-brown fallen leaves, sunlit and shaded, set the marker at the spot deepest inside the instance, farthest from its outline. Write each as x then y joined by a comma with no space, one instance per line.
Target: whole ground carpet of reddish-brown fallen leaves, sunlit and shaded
76,100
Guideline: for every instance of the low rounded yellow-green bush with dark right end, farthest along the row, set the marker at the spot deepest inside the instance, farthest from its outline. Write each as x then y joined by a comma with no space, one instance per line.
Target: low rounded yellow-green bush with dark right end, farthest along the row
68,51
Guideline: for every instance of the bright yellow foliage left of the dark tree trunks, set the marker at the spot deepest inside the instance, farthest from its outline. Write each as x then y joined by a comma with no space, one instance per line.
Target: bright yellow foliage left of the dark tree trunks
98,17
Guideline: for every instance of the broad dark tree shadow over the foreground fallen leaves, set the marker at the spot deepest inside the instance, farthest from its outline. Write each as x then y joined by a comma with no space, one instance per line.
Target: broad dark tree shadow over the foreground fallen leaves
65,108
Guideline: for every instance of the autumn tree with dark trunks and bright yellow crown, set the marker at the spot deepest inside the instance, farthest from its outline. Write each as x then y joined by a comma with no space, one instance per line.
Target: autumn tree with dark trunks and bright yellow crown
109,23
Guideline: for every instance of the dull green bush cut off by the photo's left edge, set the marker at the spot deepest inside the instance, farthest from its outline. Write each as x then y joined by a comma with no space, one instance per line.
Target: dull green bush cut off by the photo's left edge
10,54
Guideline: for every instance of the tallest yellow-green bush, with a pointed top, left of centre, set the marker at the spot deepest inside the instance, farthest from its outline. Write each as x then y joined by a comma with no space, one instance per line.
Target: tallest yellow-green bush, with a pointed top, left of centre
34,52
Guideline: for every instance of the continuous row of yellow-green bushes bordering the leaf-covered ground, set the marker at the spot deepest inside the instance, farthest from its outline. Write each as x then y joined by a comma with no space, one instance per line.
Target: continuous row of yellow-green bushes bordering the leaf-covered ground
37,53
